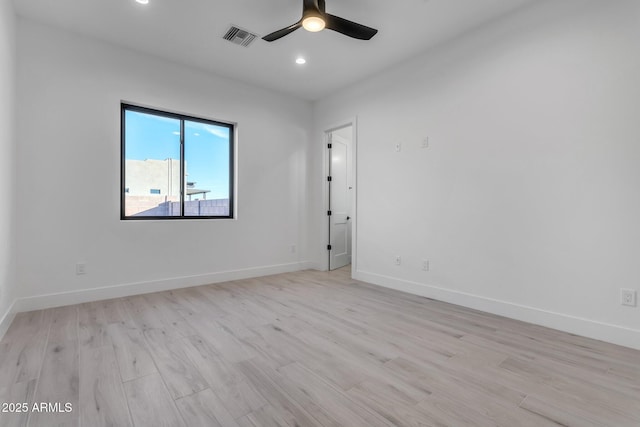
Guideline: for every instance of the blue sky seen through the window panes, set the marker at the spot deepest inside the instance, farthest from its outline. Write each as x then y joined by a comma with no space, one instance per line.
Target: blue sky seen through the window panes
206,148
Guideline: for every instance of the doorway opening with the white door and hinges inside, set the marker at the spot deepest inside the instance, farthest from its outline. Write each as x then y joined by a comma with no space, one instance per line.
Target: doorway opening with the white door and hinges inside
340,143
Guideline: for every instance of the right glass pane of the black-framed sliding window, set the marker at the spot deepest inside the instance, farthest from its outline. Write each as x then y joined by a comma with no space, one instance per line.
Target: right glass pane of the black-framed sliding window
207,159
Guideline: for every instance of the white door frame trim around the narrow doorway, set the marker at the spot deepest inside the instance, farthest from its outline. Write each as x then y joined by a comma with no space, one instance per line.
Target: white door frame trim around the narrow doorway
325,189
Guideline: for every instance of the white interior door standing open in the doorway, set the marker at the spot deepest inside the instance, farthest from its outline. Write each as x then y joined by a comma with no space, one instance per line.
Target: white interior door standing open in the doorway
340,188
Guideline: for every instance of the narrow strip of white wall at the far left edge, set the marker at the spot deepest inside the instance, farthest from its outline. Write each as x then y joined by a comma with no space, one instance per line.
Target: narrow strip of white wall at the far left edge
7,161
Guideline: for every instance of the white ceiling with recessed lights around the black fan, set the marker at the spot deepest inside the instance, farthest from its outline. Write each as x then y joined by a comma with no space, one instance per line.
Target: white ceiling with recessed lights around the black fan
190,32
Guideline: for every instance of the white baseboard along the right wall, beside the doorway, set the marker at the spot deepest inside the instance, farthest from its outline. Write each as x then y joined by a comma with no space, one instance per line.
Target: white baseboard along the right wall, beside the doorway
576,325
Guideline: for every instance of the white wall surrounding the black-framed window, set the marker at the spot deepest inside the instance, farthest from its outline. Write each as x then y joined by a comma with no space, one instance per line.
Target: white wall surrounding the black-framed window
69,93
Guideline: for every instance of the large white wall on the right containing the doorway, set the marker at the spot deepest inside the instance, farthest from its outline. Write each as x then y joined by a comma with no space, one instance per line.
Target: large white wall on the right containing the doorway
527,202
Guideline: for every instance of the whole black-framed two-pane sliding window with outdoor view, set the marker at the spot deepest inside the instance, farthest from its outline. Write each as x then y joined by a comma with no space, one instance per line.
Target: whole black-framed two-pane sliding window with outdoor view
175,166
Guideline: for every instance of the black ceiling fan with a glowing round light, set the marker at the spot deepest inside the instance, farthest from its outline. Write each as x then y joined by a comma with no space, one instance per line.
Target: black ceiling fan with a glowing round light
314,18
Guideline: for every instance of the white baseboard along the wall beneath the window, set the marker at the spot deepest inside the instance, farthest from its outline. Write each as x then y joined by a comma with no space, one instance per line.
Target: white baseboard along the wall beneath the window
40,302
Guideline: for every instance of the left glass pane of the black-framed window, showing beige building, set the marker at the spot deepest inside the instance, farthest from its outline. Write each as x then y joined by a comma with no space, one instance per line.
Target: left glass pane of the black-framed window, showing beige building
152,165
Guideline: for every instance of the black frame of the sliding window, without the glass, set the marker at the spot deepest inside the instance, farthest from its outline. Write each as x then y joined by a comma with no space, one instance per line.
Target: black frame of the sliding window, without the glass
124,107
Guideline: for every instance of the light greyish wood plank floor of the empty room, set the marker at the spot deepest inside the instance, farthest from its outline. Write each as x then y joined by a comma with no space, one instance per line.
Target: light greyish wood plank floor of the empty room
307,349
